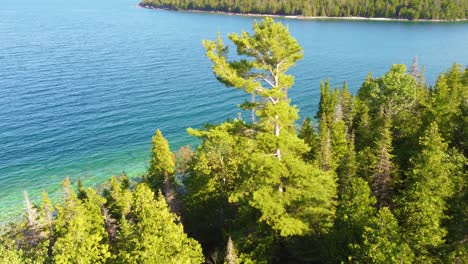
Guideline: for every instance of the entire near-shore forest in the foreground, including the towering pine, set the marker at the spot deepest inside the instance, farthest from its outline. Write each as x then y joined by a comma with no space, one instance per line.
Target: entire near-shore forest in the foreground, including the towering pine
375,177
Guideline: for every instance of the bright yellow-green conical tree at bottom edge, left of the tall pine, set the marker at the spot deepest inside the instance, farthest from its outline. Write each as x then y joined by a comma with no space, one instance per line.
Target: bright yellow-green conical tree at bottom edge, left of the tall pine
150,234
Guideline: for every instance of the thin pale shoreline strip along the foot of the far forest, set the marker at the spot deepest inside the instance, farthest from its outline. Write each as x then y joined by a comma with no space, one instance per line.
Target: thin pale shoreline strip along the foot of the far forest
299,17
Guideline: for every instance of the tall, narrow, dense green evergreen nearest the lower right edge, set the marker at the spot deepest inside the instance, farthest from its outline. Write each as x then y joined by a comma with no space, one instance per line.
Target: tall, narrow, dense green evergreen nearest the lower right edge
422,207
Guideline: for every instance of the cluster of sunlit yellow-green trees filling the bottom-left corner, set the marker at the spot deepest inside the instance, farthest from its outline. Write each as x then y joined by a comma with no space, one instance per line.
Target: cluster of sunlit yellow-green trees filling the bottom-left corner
126,224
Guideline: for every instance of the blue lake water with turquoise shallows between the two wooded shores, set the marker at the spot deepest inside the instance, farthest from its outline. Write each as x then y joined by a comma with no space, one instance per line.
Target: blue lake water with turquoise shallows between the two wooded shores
84,84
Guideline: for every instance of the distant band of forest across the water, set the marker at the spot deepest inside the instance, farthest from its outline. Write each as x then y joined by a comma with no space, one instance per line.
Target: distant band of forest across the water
402,9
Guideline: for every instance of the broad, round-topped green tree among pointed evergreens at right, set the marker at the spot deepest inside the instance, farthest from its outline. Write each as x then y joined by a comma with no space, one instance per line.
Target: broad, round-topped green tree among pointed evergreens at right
398,97
